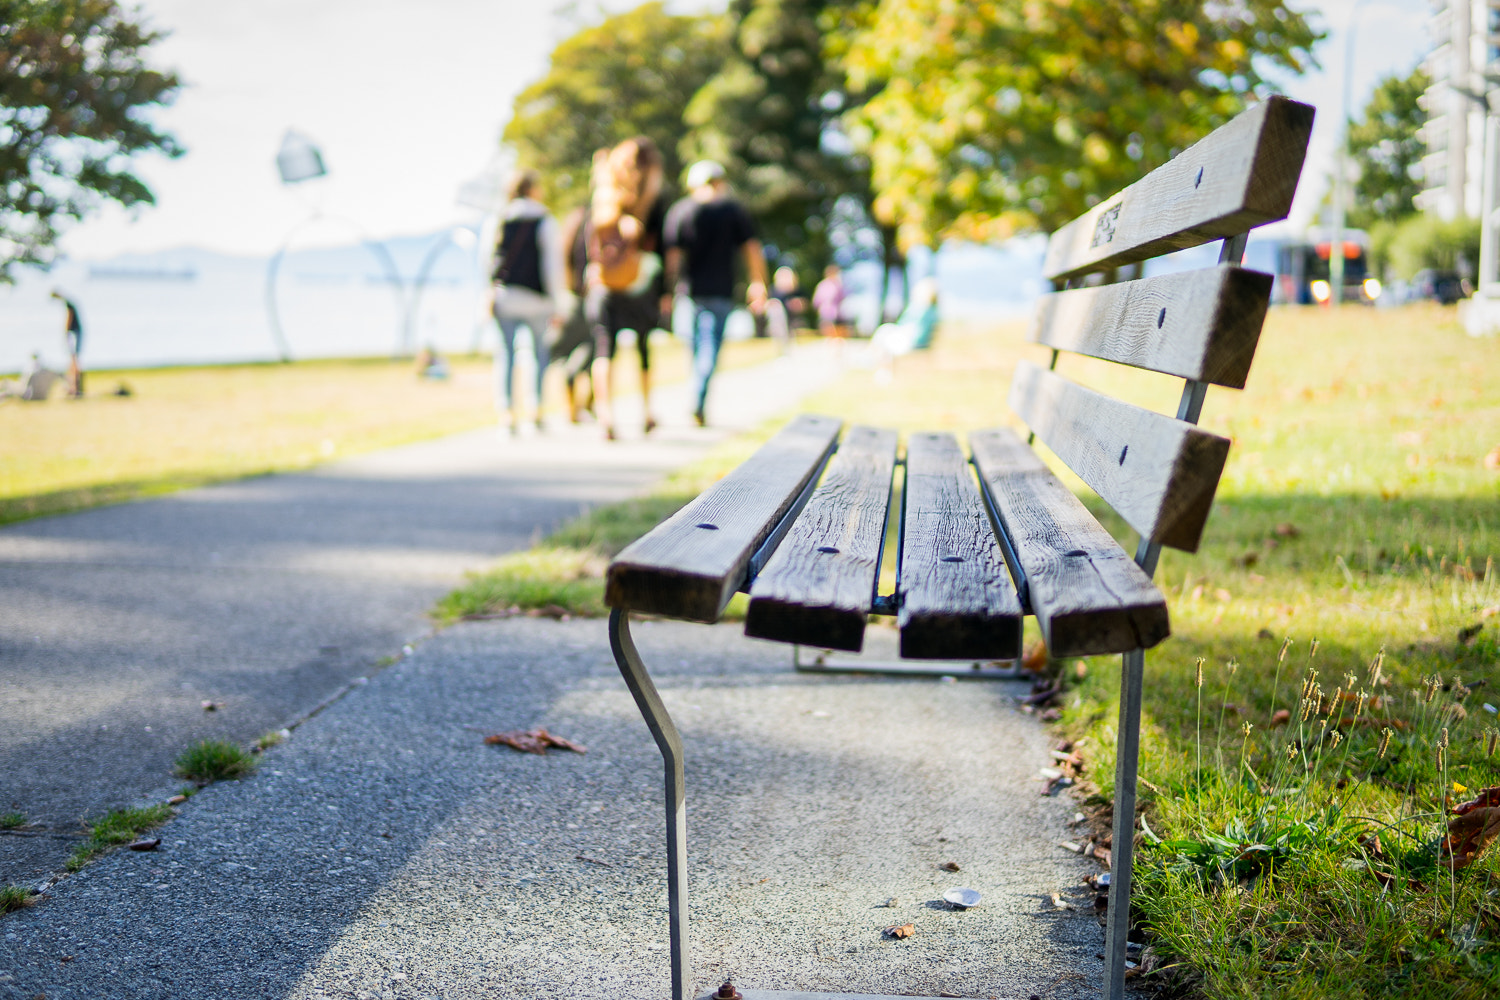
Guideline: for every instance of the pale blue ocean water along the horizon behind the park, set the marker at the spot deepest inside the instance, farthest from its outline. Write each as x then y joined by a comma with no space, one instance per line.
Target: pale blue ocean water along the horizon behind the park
200,308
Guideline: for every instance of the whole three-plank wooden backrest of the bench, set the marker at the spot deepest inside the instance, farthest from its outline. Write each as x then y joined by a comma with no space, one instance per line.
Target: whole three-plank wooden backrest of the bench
1162,473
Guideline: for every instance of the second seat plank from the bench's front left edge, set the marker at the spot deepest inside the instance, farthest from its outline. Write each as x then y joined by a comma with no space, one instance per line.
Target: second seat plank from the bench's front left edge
817,588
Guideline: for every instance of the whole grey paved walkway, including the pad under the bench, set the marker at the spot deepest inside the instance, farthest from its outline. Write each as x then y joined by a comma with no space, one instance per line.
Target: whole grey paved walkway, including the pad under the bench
385,851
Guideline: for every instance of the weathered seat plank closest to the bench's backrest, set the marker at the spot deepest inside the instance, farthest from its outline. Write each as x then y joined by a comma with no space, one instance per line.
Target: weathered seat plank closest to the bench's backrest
1088,594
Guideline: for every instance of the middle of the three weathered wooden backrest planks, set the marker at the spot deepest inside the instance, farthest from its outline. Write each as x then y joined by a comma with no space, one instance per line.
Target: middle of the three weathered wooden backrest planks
1196,325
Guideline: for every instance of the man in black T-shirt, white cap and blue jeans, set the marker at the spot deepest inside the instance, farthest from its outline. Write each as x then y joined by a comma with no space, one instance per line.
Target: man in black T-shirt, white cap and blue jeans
706,232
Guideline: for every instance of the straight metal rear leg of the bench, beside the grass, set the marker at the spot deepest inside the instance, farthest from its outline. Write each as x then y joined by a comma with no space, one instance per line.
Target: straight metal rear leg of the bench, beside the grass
1127,758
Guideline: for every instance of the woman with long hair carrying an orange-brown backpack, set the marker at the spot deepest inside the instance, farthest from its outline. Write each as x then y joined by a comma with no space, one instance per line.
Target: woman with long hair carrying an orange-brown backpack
625,266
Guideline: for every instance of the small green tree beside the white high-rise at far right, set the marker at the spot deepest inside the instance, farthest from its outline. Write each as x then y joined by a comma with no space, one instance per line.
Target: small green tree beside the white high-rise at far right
1387,146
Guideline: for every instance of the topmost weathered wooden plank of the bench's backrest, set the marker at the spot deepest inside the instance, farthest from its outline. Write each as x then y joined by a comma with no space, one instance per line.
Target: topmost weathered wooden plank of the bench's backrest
1238,178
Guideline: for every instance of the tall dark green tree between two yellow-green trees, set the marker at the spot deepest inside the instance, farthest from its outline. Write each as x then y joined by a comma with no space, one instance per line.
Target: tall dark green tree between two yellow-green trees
773,118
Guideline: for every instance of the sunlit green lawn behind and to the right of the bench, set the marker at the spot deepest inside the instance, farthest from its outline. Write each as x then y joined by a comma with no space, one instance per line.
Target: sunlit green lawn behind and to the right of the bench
1298,795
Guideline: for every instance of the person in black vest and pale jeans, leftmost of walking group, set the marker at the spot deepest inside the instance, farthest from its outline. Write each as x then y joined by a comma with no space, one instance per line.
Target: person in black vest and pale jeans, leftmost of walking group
530,290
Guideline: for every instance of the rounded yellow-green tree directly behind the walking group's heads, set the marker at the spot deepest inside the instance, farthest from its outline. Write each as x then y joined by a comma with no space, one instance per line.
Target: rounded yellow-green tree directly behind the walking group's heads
629,76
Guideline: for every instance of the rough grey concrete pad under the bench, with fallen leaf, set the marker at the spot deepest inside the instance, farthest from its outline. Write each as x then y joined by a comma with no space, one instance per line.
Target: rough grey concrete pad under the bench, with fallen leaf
386,852
